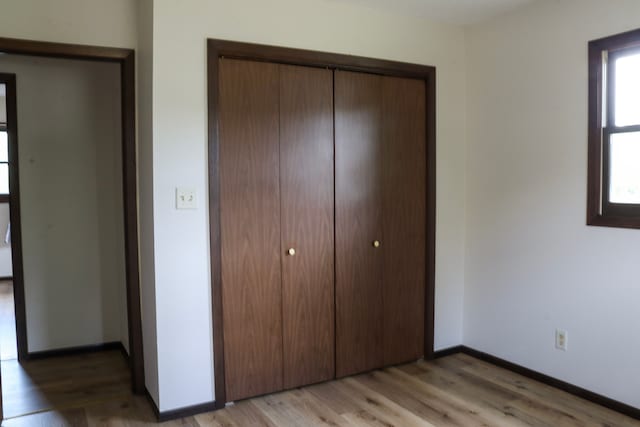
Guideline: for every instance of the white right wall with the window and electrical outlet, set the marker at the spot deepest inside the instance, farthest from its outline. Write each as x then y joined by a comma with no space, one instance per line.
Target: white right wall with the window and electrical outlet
532,264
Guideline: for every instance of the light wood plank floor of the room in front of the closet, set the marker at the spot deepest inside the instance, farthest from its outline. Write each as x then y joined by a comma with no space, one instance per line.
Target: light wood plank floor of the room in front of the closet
454,391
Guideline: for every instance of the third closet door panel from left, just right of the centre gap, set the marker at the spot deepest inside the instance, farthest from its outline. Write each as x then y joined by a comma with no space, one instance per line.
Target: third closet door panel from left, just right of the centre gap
358,142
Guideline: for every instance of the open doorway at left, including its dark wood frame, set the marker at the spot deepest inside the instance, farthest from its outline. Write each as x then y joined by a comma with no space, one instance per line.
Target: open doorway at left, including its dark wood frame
63,247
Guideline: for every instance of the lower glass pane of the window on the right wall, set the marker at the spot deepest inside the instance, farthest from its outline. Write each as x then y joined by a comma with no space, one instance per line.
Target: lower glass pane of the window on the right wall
624,182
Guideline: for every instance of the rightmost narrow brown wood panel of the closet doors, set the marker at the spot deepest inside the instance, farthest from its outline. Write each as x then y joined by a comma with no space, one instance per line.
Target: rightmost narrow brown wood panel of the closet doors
404,218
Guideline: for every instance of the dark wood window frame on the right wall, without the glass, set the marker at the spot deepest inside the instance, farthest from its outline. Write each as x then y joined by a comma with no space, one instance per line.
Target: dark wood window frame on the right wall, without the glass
602,52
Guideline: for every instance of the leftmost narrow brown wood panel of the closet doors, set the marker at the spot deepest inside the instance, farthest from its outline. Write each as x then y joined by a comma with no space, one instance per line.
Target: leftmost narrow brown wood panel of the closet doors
250,227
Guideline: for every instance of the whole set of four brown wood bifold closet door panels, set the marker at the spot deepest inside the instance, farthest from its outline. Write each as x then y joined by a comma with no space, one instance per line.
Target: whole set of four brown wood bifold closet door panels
322,179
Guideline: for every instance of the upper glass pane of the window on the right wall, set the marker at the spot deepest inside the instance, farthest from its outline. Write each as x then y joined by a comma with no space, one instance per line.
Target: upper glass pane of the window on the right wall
627,90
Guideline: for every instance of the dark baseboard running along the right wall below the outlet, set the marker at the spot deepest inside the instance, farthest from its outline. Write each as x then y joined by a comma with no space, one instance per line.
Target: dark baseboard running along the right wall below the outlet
593,397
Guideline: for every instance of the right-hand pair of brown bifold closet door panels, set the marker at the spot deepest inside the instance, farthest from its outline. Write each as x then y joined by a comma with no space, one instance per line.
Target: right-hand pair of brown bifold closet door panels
380,220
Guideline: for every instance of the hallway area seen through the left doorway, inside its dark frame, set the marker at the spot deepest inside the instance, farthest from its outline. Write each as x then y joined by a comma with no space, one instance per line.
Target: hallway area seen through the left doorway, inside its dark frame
64,329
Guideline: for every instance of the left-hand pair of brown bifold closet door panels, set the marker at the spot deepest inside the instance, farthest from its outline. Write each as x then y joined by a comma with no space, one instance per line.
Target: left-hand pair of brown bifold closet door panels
276,200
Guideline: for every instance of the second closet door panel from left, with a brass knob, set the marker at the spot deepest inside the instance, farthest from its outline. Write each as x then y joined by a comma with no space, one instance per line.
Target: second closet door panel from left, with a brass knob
306,188
